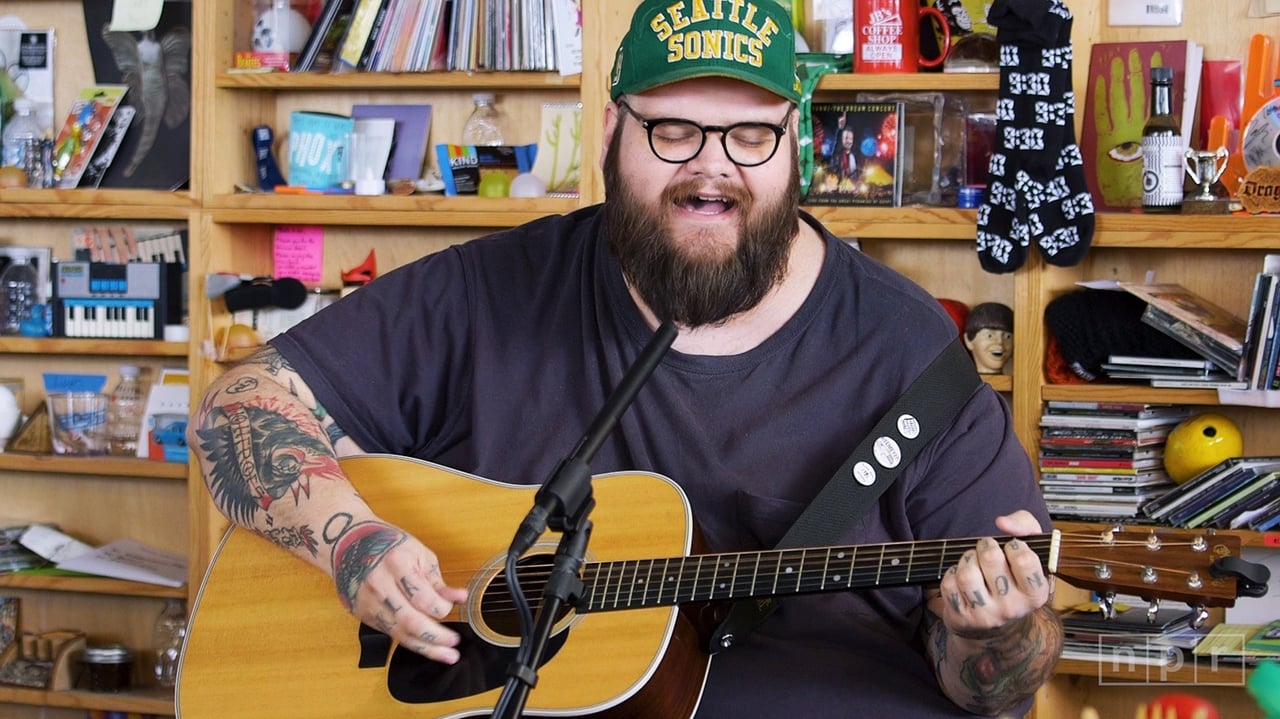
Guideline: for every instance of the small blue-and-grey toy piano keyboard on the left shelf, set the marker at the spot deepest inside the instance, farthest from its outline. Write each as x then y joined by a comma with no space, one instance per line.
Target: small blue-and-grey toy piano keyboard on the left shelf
117,301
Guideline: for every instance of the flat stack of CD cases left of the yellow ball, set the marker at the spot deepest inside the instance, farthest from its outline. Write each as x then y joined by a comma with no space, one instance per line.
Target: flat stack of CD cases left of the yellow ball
1105,460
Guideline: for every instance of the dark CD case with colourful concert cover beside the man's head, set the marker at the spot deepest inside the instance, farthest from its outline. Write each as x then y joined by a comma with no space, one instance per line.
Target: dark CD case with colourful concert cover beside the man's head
857,159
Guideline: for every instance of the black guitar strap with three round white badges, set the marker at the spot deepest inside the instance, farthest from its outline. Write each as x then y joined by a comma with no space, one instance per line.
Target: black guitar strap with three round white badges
931,404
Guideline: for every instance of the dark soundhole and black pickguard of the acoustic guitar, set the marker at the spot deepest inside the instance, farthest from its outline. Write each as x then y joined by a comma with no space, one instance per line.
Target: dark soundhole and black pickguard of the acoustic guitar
413,679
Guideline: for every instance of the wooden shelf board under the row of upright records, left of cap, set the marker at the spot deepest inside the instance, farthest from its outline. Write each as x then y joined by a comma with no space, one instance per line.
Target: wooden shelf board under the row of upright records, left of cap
396,81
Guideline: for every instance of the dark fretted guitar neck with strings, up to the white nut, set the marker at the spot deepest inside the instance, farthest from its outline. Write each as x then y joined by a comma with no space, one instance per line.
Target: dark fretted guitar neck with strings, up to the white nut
780,573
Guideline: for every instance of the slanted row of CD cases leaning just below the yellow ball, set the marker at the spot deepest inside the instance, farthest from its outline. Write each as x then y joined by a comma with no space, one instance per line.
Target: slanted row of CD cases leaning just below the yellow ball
1242,493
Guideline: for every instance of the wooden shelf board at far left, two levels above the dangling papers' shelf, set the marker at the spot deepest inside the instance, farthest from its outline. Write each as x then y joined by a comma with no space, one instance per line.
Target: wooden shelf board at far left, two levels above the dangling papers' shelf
95,204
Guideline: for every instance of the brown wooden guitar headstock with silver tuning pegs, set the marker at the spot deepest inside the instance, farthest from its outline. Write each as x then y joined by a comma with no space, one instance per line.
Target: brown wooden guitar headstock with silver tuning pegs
1158,564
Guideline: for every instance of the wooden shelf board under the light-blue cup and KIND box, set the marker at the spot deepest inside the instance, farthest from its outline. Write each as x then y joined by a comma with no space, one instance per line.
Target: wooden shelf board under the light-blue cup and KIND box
417,210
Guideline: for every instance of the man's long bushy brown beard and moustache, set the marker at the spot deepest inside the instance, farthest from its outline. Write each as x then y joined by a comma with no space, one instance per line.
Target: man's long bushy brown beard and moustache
679,286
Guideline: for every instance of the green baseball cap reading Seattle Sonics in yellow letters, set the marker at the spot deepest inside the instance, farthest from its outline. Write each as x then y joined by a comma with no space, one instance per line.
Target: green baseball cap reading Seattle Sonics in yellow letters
675,40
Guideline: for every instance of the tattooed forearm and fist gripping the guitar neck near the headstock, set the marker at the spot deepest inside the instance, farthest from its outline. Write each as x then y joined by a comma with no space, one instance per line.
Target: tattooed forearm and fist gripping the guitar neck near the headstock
993,636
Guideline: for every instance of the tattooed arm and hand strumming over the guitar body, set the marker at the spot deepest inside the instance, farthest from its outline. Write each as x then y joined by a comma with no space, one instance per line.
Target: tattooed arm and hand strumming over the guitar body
268,452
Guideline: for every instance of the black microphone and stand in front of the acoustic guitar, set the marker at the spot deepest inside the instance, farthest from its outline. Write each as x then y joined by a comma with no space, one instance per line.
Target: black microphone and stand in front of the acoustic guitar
563,505
